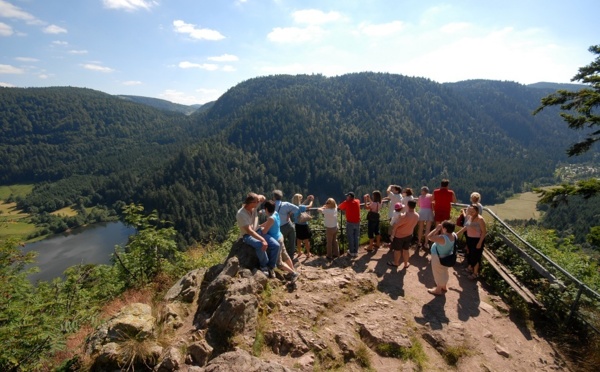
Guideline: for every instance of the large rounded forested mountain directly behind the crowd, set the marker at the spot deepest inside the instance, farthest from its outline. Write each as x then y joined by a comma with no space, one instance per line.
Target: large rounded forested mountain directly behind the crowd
362,132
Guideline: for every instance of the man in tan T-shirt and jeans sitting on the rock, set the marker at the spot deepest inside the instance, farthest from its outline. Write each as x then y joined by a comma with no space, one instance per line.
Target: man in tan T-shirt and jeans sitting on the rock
266,247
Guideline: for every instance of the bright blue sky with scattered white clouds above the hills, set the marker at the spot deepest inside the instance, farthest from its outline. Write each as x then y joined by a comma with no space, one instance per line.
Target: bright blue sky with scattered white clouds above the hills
192,51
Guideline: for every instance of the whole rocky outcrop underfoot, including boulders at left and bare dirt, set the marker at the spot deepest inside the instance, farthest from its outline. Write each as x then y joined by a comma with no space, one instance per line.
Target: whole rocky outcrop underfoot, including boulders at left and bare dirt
350,314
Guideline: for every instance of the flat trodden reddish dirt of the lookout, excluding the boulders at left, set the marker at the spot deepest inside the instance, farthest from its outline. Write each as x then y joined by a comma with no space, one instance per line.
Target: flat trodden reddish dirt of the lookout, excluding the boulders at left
467,323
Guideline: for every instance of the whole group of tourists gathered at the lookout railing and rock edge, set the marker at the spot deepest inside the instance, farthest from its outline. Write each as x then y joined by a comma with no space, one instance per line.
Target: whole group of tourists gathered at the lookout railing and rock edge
283,234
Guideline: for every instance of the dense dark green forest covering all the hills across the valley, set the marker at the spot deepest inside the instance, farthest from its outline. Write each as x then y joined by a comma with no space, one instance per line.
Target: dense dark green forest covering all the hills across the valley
306,133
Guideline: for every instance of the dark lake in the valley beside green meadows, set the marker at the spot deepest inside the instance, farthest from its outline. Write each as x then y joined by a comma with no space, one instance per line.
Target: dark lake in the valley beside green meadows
92,244
